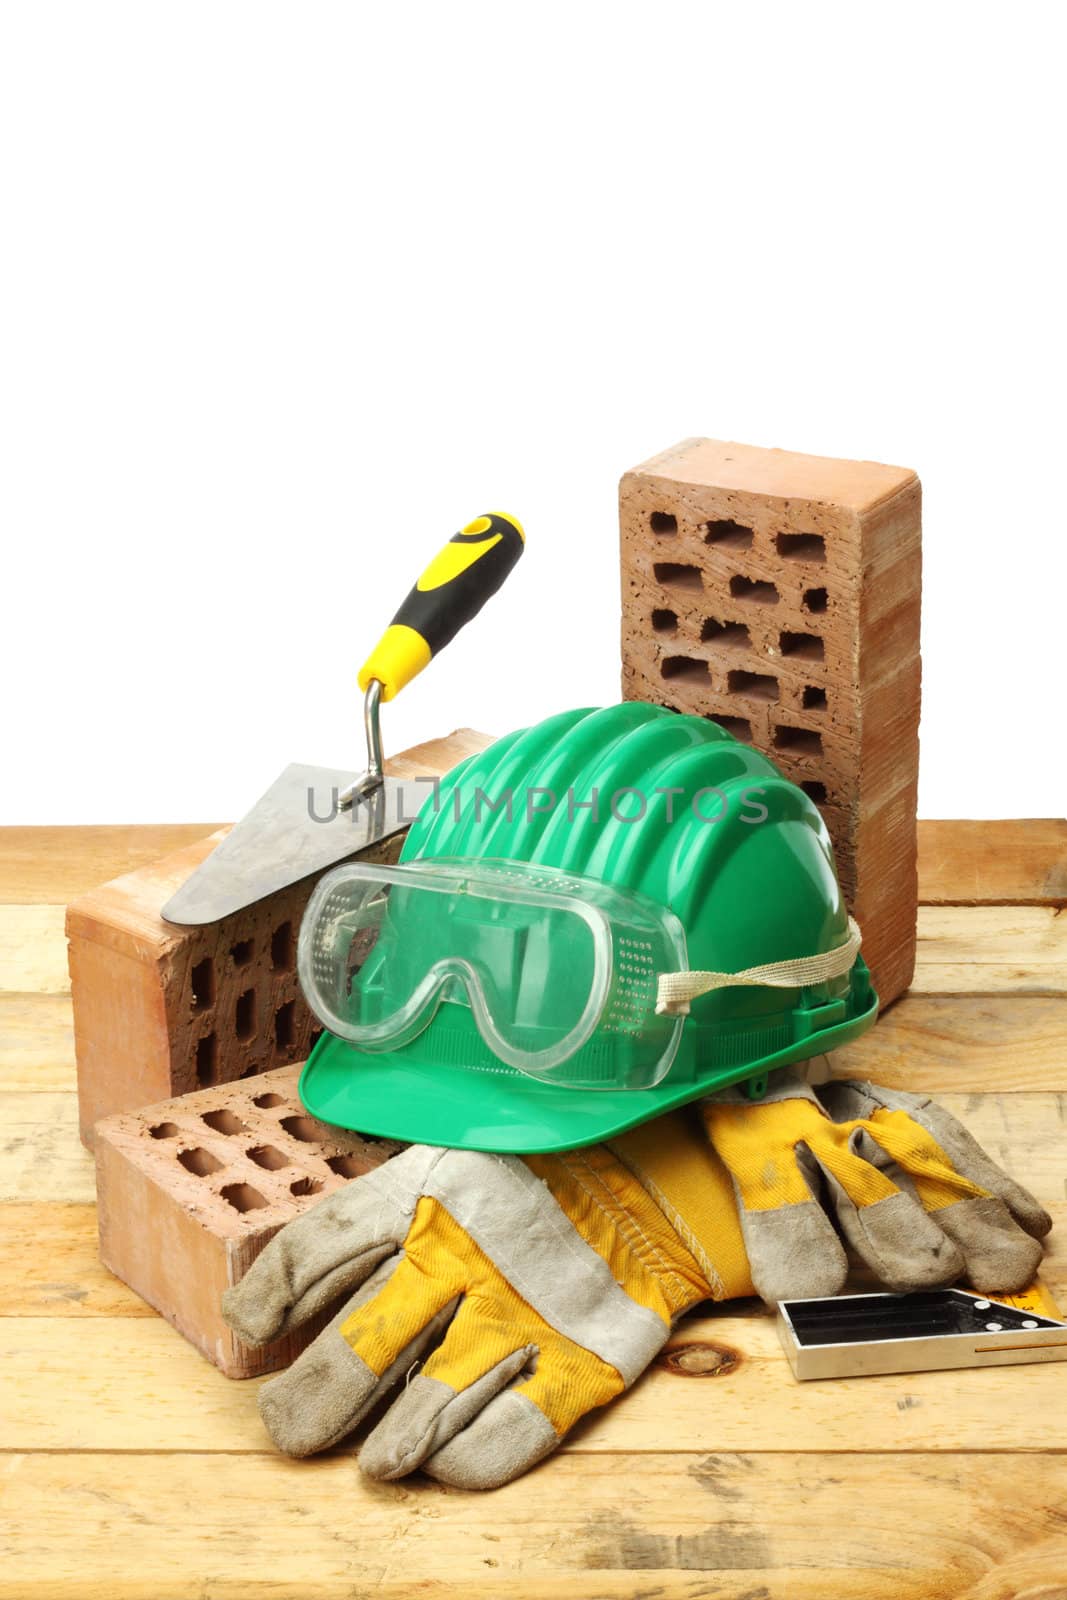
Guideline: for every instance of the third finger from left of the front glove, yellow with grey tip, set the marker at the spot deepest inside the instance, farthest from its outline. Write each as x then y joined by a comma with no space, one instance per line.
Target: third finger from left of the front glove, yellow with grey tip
463,1375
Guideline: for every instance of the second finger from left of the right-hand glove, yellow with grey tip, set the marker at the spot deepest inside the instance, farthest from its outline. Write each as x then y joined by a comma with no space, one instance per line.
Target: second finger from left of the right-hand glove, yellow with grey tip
885,1225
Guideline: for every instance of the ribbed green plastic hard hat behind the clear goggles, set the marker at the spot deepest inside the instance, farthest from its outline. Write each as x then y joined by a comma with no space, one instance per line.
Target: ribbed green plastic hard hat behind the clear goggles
673,809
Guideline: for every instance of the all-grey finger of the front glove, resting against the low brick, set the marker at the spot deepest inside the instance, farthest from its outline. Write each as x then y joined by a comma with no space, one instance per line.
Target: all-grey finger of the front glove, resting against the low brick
326,1254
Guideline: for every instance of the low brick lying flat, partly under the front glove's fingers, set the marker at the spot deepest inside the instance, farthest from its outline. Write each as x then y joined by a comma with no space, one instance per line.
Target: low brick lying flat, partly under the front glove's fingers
191,1191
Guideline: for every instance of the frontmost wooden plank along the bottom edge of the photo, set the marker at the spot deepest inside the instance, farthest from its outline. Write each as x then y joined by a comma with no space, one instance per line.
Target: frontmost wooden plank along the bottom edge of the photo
597,1527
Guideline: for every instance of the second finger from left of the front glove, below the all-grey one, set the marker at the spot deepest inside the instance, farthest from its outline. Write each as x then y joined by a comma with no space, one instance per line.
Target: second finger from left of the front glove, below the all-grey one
330,1388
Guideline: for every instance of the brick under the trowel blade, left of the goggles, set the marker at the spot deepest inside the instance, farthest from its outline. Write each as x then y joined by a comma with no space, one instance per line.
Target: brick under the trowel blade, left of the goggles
162,1010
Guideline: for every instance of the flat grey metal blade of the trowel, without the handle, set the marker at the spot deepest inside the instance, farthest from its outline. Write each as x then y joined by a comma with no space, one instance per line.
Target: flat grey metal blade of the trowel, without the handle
295,831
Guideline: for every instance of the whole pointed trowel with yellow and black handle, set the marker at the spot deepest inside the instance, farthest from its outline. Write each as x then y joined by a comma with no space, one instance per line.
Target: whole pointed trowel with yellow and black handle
314,817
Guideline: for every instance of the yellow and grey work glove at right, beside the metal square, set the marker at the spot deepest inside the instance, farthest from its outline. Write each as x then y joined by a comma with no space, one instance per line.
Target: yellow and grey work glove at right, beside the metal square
911,1191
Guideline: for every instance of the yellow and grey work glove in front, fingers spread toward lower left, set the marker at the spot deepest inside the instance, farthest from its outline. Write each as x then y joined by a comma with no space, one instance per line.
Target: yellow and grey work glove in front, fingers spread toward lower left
503,1298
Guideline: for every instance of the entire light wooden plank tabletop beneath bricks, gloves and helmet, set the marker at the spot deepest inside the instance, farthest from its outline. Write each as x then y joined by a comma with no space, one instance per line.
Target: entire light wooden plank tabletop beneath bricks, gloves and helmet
130,1468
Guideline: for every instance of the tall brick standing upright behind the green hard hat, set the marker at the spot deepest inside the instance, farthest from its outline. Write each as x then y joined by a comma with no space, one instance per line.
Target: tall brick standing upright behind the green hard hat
780,594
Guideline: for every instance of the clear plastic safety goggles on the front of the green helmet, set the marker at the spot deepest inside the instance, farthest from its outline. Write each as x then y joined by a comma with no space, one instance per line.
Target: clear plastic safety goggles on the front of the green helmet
561,972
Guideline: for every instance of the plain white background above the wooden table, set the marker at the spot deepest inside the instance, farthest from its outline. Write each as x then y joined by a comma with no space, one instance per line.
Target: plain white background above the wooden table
290,292
